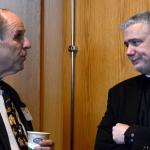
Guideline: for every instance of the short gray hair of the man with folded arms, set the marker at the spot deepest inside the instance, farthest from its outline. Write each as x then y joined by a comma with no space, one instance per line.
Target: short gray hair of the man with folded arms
142,17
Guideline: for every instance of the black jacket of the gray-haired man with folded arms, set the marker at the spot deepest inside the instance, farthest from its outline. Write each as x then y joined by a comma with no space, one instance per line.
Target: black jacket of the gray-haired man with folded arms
123,107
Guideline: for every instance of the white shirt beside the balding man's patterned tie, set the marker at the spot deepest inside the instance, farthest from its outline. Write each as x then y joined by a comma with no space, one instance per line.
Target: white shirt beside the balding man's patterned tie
12,140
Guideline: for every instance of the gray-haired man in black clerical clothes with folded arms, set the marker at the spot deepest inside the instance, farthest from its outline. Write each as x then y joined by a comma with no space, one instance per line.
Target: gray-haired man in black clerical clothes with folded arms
126,123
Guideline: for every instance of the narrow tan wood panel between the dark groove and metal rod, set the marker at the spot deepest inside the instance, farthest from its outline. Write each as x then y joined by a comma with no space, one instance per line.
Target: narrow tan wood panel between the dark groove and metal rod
53,71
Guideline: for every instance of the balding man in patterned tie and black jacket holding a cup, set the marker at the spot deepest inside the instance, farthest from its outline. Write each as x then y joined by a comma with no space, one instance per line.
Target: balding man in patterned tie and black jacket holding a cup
14,123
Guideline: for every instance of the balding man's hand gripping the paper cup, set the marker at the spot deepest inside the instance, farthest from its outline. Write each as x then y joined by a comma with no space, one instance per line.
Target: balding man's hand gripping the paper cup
45,145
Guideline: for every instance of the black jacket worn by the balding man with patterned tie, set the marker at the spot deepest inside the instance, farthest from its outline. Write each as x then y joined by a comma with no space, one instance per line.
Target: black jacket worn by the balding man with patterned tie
4,141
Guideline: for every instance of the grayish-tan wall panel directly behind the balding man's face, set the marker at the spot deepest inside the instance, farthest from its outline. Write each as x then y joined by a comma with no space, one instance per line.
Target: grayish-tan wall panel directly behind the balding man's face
27,82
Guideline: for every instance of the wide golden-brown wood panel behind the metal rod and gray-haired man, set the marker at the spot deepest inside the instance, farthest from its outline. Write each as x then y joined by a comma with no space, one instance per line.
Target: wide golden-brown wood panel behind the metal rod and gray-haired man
100,62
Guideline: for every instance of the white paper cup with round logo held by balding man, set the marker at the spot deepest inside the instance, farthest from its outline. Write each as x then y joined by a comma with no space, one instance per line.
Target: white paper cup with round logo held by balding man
35,137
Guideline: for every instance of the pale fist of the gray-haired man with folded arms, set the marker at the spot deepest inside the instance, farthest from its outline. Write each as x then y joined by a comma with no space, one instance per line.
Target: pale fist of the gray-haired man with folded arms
118,132
